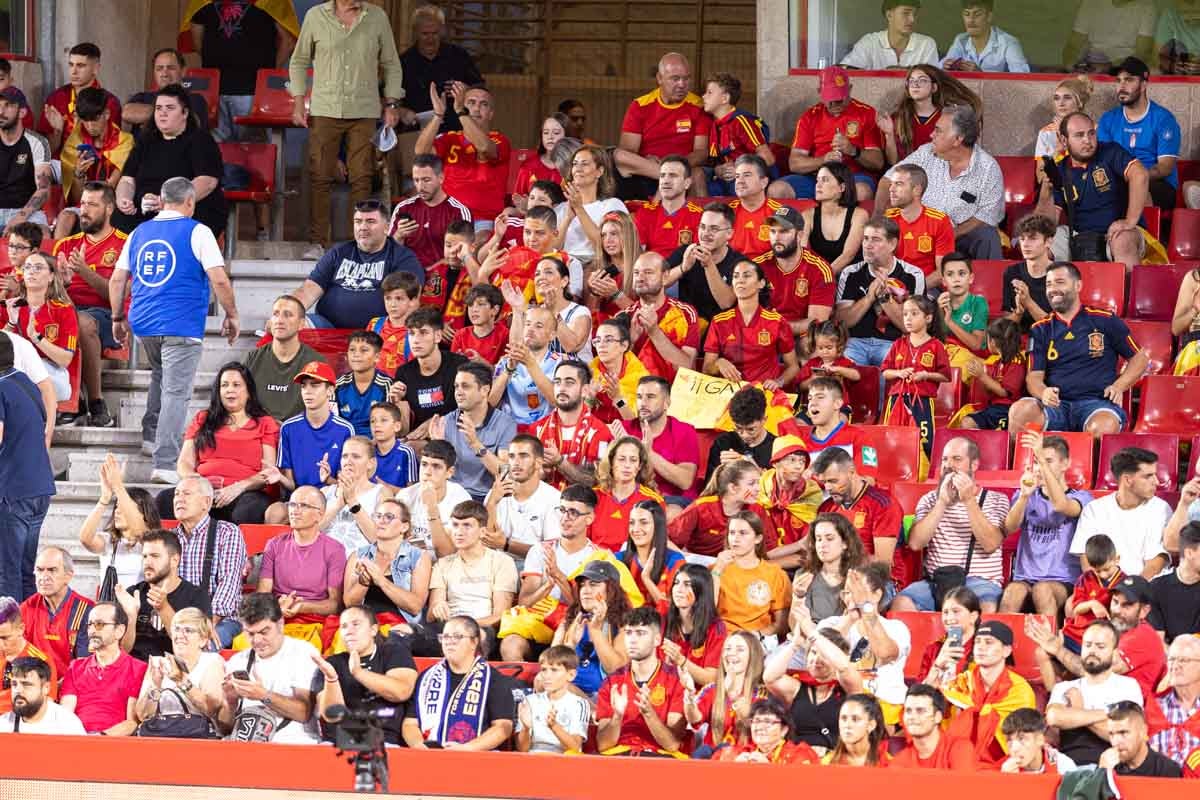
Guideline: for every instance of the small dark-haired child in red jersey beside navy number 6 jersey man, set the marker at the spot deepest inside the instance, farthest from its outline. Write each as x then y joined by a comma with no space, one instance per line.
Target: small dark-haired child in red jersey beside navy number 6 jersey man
997,383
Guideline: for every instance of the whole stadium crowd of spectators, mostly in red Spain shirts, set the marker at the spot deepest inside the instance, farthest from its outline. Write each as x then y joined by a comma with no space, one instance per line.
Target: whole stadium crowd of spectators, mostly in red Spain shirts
500,522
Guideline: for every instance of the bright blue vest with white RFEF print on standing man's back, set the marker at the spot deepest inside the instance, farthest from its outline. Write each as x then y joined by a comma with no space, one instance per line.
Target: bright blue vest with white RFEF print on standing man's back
171,288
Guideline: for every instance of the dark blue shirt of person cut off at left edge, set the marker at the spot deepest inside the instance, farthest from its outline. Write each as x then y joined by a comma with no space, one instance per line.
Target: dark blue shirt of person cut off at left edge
25,462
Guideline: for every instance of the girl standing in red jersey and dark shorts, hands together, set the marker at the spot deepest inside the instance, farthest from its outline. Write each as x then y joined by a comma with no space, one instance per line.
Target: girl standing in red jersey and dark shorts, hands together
915,365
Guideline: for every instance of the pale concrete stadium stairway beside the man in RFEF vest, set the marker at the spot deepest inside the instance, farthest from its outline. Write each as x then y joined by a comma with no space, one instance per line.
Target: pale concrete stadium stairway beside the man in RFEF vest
77,452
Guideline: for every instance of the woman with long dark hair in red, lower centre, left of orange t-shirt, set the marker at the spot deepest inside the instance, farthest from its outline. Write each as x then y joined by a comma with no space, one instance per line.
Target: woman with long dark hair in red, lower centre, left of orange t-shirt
694,635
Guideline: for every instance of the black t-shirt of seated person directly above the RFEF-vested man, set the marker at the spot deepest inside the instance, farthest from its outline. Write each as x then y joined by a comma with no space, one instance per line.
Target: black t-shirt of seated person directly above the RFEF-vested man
190,155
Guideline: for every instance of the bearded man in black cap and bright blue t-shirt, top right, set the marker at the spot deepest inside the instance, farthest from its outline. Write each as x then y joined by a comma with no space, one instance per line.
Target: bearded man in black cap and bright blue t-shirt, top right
1145,129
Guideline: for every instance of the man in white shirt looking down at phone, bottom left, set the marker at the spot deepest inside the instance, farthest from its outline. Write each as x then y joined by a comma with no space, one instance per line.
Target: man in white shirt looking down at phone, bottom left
275,675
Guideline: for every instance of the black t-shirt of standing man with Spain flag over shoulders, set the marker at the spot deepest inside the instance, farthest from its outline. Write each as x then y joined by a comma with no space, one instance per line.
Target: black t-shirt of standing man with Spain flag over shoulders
239,40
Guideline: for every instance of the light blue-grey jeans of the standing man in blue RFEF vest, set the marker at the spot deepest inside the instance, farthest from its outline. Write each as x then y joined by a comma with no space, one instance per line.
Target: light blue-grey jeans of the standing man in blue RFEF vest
173,364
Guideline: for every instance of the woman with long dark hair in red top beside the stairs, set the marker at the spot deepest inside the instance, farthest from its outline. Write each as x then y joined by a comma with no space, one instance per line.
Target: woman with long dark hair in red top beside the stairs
230,443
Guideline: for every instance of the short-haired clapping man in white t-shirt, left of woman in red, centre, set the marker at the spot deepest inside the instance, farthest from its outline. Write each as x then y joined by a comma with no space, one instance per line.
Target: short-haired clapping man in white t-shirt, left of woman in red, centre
523,509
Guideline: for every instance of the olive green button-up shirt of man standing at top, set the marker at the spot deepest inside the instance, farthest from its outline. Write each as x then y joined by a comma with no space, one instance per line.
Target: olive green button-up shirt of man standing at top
347,64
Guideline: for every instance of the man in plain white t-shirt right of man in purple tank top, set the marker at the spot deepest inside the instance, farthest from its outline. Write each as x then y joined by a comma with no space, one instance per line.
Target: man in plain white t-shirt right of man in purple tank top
1133,518
